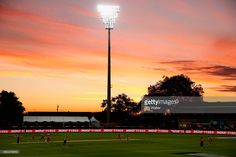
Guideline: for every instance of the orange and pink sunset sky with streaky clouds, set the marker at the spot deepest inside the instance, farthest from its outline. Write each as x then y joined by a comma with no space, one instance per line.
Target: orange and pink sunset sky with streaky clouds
54,52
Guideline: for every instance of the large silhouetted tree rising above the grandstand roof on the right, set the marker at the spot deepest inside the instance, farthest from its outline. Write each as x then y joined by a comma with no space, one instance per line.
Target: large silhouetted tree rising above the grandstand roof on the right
178,85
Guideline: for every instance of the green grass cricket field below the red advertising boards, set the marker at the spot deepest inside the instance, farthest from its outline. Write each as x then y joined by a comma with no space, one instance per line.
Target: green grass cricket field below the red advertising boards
106,145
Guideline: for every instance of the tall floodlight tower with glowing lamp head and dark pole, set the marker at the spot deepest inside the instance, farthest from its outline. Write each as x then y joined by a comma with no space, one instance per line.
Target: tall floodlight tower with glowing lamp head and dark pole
108,13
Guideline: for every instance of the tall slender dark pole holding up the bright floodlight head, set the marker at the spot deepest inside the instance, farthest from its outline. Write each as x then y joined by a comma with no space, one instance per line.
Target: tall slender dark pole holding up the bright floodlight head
109,79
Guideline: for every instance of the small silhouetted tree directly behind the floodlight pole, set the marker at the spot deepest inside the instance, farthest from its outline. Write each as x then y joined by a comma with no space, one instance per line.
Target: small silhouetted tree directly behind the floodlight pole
122,103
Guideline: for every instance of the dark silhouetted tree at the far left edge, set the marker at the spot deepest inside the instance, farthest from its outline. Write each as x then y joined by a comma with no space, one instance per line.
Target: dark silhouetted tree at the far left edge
11,109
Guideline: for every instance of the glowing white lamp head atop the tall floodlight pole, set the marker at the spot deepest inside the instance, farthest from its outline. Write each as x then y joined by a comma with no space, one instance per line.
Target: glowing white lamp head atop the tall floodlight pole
108,13
